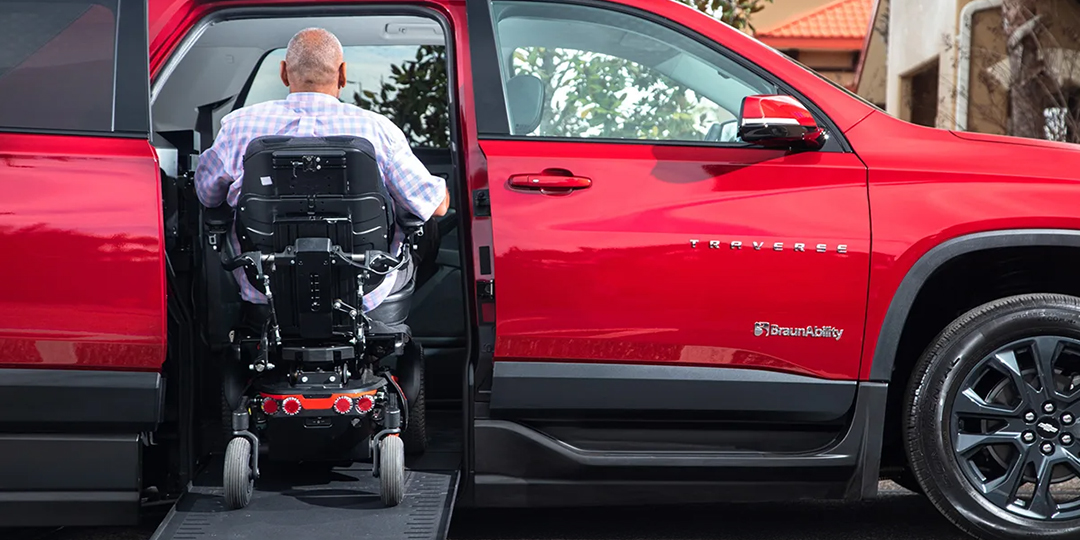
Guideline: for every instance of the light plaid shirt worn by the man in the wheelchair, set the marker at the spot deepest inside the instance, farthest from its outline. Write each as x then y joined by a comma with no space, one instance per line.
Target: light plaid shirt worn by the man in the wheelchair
221,172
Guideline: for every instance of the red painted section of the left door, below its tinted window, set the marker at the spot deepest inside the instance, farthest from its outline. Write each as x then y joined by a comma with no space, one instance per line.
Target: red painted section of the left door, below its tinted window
84,277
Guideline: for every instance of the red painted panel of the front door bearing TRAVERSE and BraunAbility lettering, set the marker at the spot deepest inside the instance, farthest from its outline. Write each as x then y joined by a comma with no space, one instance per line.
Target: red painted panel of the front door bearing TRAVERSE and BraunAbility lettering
609,274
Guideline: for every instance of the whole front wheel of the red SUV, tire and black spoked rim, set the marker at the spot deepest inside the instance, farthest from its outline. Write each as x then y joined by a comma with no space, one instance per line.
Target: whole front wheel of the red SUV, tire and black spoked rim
983,374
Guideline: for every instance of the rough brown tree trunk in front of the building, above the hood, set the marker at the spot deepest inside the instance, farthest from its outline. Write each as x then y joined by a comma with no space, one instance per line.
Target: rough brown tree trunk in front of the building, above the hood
1028,94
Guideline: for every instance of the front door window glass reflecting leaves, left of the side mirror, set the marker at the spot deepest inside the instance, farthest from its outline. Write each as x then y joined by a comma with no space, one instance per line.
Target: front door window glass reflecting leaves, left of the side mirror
610,75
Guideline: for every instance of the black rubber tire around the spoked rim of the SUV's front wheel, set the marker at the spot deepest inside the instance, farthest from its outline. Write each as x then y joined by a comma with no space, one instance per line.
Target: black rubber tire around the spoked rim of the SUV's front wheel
954,355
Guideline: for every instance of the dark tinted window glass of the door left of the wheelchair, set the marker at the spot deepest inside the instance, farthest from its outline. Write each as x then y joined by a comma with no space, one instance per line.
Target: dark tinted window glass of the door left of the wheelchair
57,64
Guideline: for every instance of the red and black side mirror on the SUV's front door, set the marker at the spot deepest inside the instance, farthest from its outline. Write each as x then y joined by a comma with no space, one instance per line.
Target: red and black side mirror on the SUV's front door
779,121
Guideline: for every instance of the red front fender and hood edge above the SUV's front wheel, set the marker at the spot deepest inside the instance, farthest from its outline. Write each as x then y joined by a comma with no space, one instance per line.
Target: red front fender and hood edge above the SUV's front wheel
928,186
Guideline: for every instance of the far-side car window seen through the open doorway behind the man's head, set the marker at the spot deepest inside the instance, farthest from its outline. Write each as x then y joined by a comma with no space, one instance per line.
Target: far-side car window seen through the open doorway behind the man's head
407,84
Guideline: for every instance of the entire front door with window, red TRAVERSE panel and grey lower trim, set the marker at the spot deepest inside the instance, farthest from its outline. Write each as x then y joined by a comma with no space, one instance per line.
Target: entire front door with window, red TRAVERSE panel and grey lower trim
641,250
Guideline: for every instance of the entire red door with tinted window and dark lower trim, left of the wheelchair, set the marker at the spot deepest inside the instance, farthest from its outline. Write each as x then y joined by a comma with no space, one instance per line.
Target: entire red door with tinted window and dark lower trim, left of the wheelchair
83,303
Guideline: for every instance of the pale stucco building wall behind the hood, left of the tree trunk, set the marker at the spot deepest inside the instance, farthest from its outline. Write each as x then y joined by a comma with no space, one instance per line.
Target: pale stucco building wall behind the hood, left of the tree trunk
920,31
